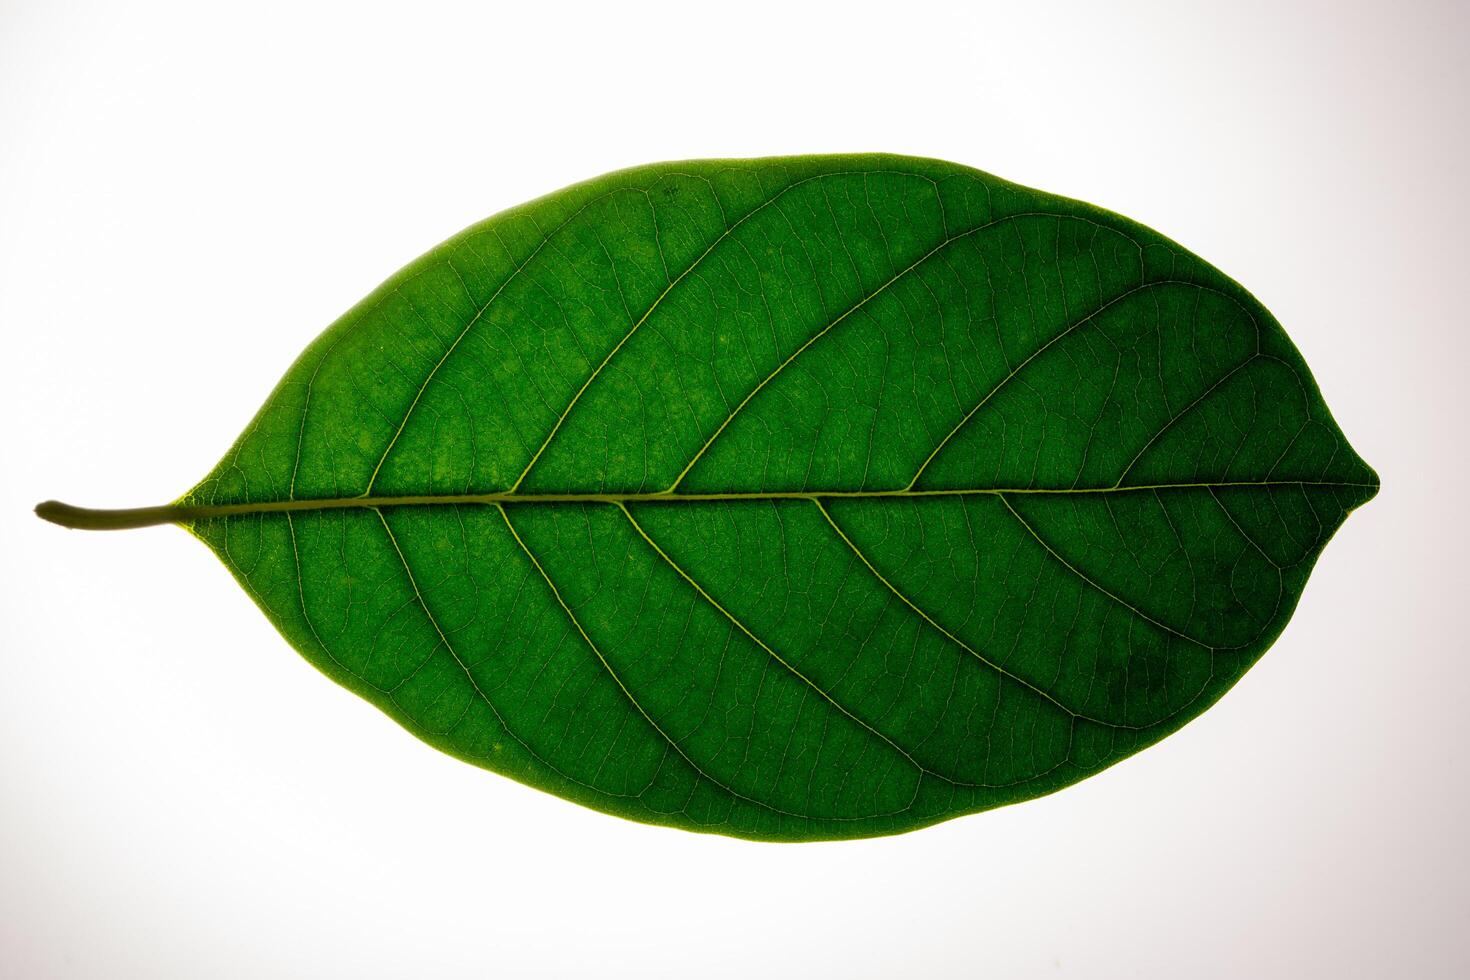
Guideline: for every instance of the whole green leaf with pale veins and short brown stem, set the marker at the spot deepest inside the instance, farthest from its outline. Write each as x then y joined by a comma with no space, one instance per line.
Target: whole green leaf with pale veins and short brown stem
793,499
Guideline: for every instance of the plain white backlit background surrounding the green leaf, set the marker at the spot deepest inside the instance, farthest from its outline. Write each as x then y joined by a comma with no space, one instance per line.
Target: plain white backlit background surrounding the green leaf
189,195
